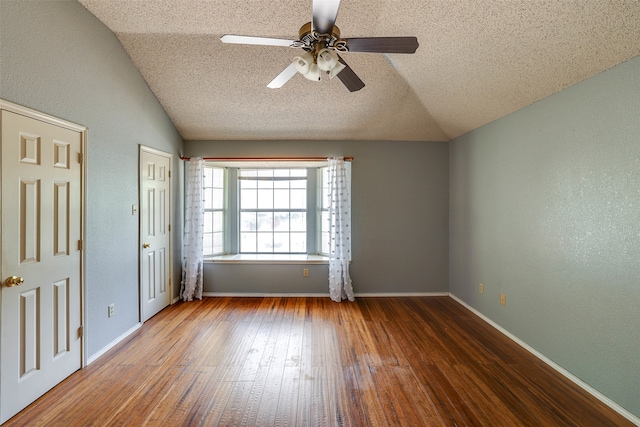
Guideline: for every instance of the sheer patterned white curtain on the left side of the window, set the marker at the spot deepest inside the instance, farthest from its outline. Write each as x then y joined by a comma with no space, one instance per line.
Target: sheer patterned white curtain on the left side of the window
193,231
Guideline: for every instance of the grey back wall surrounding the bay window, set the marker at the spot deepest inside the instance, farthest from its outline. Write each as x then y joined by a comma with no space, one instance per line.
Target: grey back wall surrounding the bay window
399,198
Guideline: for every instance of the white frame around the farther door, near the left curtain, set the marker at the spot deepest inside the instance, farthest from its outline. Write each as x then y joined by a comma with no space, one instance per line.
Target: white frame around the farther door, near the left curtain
155,151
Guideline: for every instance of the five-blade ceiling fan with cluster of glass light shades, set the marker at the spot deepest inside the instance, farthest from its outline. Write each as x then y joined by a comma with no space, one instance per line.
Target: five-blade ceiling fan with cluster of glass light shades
320,40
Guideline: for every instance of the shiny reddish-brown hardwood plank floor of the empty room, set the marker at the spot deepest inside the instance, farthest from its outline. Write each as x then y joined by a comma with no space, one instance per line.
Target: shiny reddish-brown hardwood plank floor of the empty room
312,362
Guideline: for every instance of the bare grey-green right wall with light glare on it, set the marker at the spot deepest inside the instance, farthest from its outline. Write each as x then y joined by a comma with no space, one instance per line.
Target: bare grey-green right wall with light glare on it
545,208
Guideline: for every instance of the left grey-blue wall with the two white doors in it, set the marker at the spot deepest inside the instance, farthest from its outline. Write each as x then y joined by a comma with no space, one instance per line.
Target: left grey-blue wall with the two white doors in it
57,58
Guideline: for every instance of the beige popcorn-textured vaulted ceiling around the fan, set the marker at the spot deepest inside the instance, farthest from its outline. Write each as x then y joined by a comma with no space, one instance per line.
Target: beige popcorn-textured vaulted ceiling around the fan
478,60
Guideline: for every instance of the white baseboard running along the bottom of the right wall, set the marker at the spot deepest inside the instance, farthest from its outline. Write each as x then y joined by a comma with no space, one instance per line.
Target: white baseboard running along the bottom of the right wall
586,387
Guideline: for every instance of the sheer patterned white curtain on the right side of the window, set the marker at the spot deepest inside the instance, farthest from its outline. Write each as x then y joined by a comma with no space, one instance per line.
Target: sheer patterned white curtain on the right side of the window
340,286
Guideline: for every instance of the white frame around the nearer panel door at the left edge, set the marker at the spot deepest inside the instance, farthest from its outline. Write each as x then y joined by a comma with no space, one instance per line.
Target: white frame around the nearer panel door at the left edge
47,118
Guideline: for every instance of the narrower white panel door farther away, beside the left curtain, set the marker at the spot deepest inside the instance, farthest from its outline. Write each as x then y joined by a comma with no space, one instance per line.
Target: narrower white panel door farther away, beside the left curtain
155,231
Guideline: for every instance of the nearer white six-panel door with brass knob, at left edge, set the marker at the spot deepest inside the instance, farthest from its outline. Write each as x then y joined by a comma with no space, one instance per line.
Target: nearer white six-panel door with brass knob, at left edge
41,231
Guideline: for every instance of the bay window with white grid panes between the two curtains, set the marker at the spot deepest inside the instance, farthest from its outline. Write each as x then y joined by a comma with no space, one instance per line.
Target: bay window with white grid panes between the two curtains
278,210
